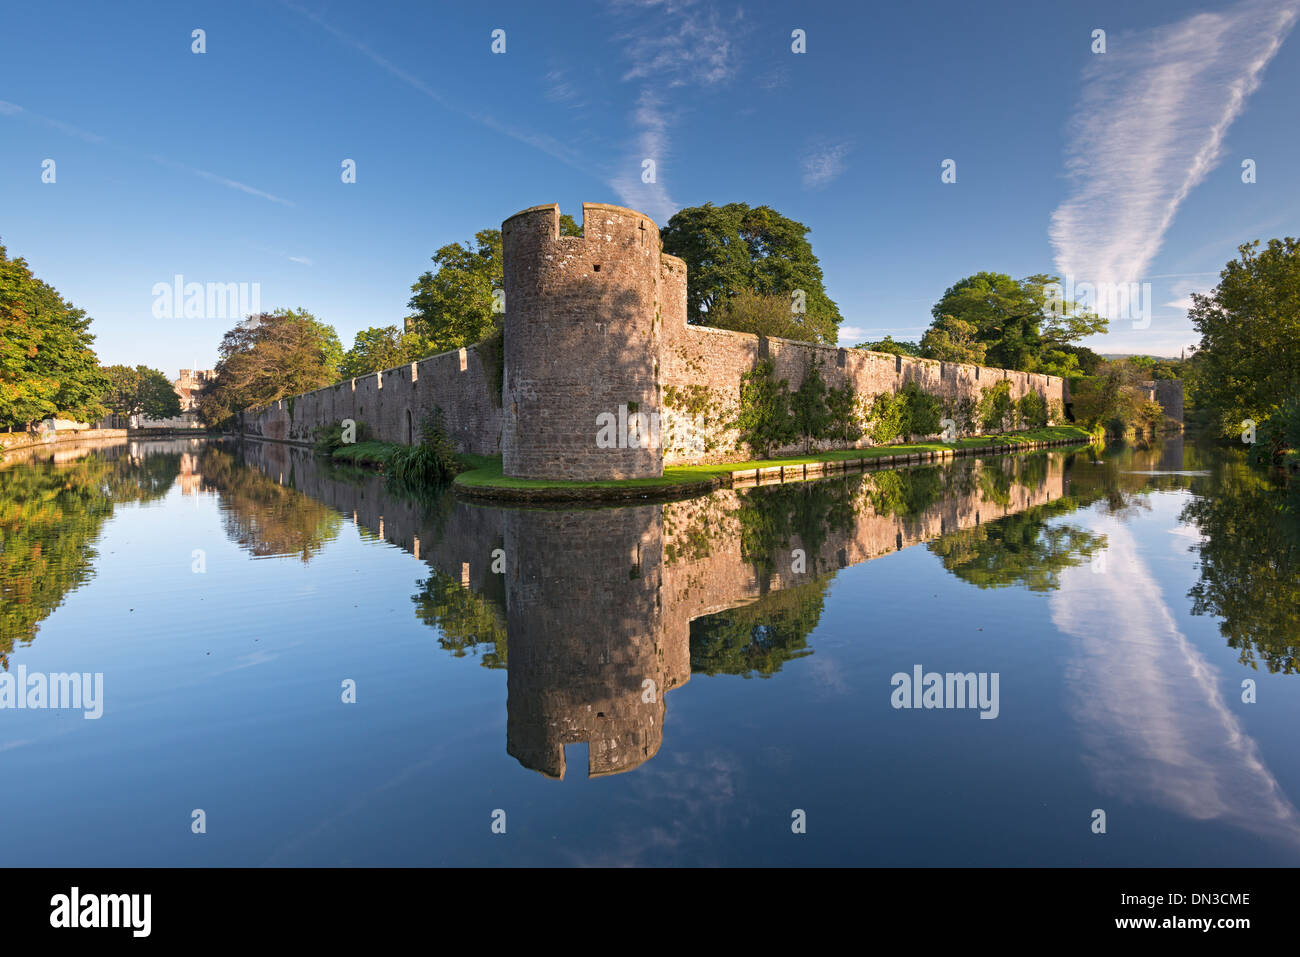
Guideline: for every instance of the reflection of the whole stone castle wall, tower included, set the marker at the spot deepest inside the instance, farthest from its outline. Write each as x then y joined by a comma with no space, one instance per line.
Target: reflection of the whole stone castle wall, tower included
600,601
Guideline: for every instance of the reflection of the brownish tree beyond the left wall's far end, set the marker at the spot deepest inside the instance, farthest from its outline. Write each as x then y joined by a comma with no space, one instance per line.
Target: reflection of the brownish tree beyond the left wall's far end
263,516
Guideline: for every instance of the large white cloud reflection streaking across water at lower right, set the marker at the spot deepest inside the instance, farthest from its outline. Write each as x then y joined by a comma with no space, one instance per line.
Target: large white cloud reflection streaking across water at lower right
1155,725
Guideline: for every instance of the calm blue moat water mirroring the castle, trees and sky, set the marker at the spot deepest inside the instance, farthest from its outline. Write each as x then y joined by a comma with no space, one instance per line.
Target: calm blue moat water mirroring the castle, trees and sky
337,674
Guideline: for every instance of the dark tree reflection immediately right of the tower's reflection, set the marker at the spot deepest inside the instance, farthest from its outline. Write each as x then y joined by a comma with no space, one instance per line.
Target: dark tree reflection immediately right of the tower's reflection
760,638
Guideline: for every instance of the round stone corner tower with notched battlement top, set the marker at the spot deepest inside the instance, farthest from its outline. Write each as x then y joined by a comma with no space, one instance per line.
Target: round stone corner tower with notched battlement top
583,340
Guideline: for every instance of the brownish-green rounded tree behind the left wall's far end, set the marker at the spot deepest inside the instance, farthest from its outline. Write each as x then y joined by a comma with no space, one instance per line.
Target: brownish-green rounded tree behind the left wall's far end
267,358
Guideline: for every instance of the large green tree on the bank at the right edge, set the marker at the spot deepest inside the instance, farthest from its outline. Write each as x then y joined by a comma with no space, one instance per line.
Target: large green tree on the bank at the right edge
1250,326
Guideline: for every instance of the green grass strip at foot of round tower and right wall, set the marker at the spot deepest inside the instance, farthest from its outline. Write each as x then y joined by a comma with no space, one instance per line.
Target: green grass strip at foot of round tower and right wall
487,471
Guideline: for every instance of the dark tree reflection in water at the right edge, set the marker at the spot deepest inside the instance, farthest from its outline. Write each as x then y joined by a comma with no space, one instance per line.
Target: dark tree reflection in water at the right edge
1250,565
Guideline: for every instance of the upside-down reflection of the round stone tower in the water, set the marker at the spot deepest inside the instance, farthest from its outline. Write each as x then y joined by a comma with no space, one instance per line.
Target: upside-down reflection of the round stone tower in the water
586,636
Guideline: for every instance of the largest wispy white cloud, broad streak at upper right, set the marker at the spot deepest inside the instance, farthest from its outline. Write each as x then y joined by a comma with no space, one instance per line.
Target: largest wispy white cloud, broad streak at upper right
1151,125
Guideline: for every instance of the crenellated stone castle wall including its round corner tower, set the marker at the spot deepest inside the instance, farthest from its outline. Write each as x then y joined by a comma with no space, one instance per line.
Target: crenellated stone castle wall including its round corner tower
597,347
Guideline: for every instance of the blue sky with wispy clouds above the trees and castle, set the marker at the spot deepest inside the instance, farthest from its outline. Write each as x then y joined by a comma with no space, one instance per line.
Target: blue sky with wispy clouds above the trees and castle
226,167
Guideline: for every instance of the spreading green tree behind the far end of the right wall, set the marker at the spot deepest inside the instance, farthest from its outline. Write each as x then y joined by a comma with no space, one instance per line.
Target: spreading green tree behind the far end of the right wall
1024,324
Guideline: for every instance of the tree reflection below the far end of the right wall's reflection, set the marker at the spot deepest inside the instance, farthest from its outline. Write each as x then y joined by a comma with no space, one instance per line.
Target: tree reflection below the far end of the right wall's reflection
1020,549
